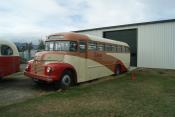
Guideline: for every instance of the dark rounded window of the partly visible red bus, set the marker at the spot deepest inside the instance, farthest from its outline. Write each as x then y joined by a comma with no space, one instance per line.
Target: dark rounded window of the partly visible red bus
6,50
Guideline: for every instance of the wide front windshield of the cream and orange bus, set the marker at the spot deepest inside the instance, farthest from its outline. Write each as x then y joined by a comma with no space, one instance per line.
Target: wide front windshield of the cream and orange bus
61,46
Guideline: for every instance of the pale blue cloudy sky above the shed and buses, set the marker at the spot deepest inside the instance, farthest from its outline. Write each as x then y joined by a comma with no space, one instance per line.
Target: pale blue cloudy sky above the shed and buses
30,20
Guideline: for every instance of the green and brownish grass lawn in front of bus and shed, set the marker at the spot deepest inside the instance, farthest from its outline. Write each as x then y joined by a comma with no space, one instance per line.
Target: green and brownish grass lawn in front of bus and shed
152,94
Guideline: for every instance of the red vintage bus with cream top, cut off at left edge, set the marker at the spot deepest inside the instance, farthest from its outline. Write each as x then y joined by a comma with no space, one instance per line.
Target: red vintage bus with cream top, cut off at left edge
9,58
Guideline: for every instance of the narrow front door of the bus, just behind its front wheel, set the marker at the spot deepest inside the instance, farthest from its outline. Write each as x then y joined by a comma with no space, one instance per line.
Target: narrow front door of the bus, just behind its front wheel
82,72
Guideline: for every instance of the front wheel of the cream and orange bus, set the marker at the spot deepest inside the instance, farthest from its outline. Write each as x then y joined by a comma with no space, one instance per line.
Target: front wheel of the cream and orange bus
65,82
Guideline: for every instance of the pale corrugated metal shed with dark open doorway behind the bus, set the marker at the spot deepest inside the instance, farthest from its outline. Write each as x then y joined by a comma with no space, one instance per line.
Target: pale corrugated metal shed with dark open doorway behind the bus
155,42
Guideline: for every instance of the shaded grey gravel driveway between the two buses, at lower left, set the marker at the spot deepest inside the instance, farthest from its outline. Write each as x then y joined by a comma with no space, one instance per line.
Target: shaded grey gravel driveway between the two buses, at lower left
17,88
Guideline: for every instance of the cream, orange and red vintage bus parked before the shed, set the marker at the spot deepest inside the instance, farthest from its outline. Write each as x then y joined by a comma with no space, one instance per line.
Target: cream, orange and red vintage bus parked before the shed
71,58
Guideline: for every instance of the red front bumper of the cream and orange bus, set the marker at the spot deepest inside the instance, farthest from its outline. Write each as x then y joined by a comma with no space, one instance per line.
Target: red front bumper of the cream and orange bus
48,79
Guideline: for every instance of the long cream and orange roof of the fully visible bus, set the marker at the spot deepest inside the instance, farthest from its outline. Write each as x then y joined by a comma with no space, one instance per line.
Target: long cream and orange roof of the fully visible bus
72,35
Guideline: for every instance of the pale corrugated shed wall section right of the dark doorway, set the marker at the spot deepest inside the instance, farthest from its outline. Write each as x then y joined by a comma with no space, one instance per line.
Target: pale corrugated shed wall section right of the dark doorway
156,46
